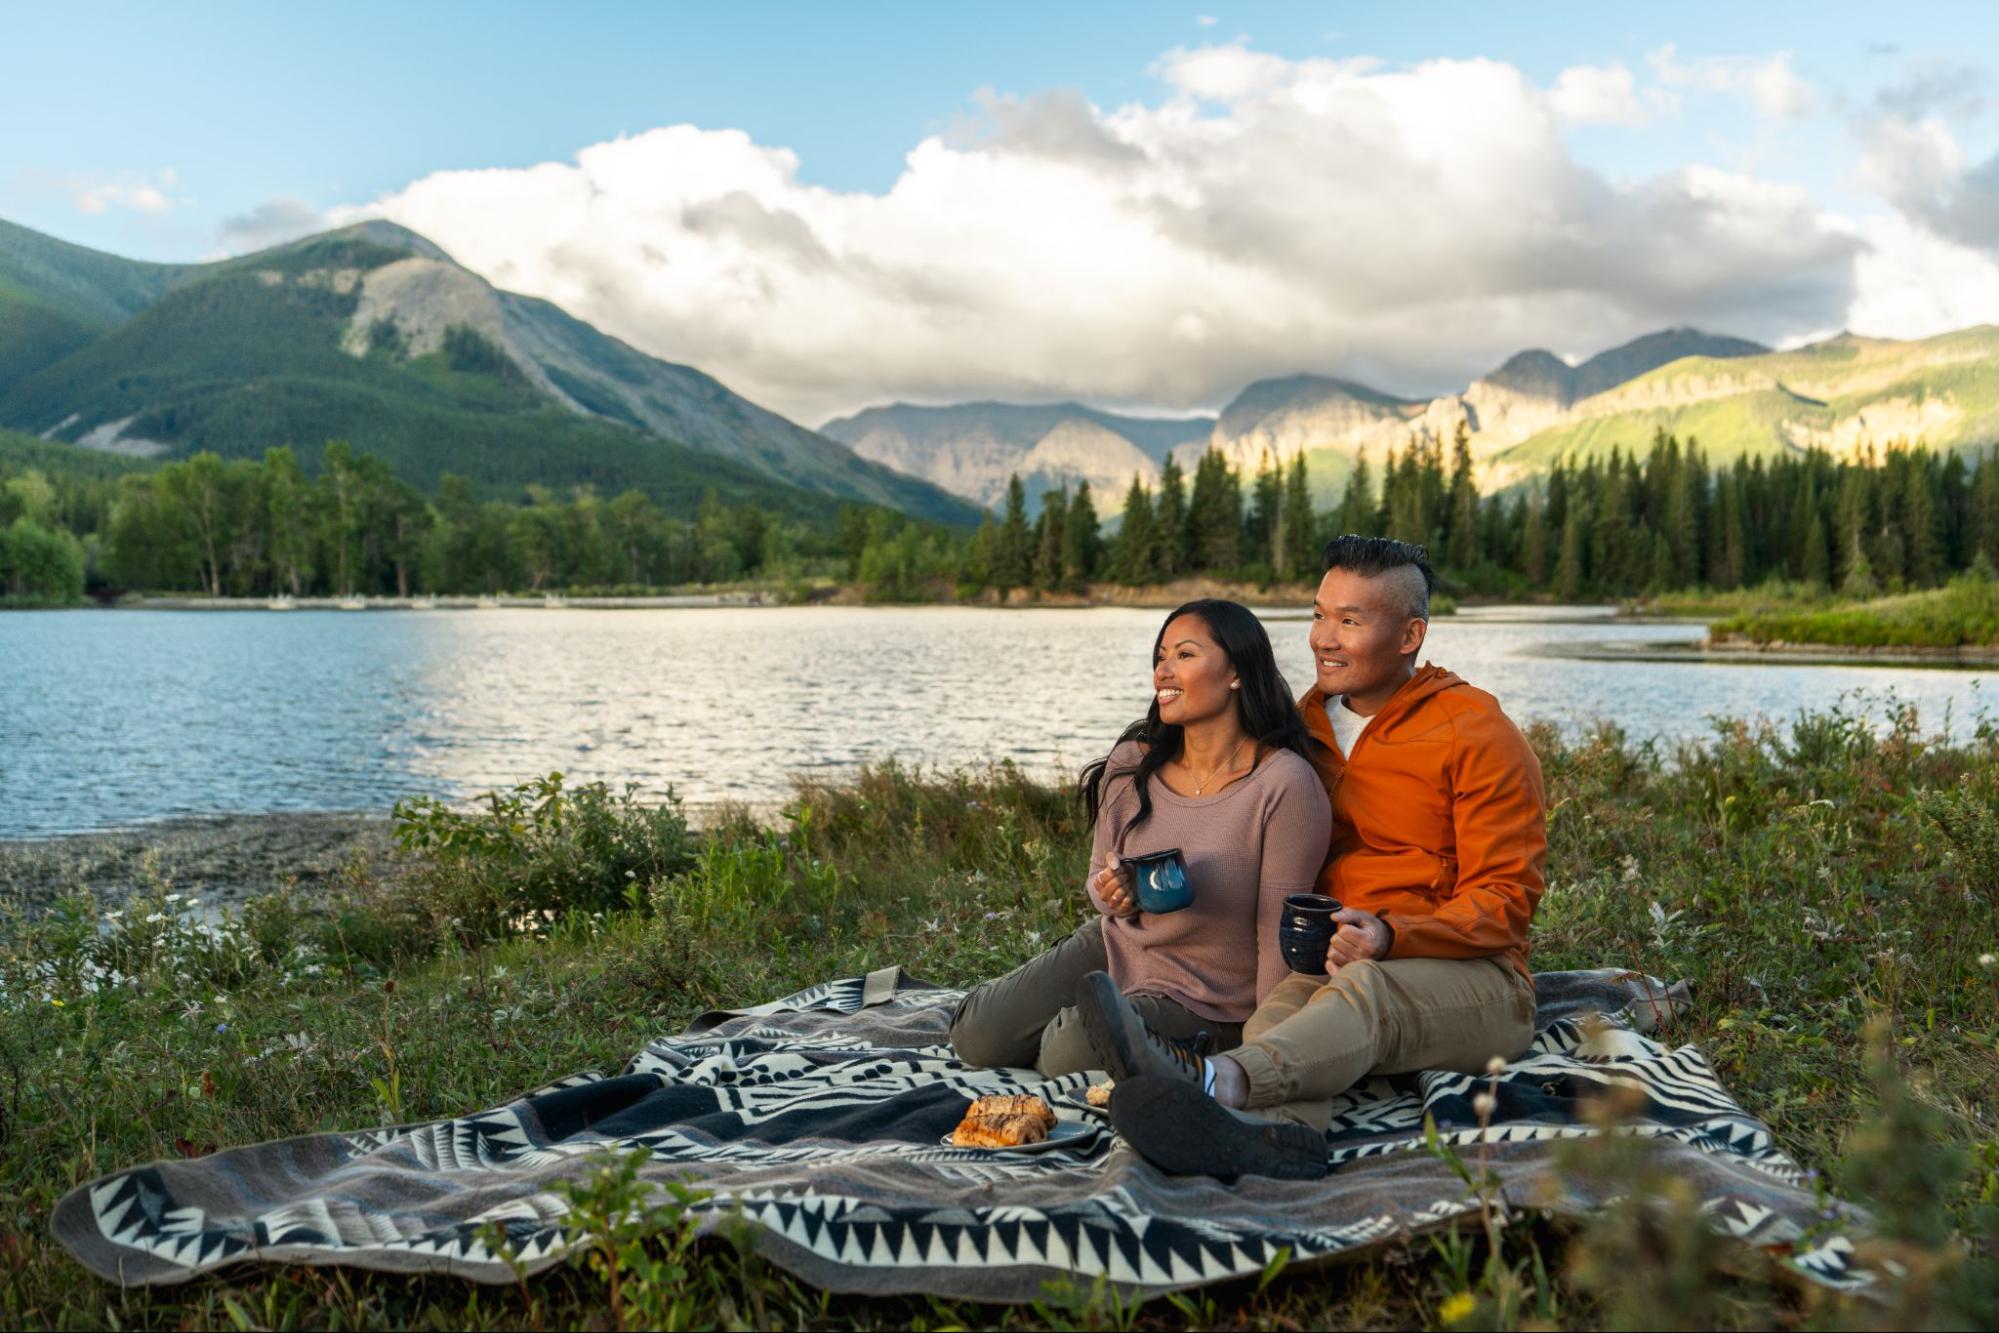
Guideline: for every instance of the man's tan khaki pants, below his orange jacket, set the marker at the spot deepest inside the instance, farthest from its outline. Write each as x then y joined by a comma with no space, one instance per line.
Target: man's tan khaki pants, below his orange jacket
1312,1040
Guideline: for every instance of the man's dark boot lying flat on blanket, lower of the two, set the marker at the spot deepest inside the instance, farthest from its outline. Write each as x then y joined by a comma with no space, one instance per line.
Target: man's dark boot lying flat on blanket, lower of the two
1178,1128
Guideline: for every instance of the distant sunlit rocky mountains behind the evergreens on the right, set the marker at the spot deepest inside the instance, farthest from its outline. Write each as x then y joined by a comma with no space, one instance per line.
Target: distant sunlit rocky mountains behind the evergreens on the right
1738,399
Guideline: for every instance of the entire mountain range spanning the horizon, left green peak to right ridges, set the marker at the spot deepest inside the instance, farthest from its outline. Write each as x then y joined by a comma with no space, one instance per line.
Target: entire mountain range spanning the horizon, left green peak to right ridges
373,335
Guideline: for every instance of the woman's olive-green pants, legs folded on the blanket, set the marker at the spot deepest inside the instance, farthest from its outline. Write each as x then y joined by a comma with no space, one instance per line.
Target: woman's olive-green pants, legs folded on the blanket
1028,1020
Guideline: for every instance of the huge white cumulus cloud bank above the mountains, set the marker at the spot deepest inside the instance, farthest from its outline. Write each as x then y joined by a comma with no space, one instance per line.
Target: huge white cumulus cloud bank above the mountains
1260,217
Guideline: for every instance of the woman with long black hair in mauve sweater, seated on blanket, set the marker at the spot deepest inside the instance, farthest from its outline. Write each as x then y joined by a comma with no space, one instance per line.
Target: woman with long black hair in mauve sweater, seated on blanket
1216,768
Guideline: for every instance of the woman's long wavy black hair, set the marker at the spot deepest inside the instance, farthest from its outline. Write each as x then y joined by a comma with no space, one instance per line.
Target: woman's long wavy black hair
1264,706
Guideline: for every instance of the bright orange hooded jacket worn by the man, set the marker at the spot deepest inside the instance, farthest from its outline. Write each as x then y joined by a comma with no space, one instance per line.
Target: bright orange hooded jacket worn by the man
1440,824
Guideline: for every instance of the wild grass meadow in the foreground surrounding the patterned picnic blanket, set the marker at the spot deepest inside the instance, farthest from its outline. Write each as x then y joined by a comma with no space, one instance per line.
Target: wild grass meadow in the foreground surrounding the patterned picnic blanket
1832,892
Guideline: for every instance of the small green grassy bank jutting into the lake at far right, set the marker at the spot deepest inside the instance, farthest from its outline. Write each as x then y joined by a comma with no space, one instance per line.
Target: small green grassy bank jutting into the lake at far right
1960,615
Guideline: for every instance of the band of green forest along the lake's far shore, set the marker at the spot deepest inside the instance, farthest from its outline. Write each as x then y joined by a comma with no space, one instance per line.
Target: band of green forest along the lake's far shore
1616,527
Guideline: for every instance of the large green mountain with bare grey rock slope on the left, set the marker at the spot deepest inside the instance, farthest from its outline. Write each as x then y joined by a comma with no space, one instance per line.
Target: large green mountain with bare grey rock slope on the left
373,335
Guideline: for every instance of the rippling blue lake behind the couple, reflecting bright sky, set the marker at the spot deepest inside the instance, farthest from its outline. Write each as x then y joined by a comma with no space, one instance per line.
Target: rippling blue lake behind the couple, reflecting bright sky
119,718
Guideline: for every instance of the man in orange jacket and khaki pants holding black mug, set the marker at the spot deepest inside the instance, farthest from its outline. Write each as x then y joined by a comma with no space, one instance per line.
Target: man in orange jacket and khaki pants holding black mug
1440,834
